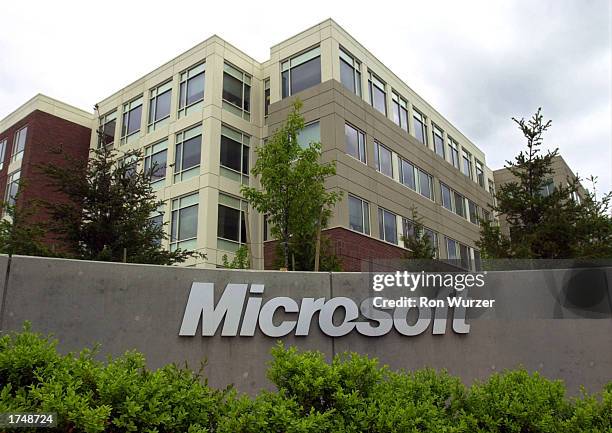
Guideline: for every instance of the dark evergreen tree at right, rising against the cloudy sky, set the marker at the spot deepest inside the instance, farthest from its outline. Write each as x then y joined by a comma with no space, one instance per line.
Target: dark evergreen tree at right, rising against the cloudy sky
553,226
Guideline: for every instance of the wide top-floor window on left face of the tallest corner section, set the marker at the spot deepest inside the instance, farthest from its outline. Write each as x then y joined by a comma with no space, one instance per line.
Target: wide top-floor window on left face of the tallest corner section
301,72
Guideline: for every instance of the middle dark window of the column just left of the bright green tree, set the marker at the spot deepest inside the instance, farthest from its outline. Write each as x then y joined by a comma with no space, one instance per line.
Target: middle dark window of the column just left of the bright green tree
234,155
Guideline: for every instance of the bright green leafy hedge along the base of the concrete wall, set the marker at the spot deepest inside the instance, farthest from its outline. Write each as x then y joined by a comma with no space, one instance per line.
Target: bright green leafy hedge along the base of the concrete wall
352,393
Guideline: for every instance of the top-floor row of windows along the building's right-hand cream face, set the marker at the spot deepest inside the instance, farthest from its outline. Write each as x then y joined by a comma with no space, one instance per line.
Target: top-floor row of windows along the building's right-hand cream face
350,76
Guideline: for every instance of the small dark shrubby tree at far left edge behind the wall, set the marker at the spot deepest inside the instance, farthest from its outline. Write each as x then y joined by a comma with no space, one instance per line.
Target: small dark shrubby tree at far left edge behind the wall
20,232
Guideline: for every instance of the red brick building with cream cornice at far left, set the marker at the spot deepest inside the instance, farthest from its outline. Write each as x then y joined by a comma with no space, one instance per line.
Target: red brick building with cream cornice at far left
31,135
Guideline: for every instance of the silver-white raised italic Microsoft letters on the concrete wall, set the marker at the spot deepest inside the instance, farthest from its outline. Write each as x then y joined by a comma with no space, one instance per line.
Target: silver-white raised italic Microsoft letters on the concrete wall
242,315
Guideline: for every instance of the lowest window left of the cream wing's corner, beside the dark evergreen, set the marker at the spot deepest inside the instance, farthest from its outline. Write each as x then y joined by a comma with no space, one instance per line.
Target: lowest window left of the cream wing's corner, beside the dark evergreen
184,223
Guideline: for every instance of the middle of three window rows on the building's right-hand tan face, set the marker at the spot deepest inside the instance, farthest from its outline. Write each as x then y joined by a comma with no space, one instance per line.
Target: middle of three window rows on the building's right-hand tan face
409,174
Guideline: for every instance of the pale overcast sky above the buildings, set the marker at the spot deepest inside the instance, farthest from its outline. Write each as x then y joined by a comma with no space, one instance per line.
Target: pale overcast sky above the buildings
478,62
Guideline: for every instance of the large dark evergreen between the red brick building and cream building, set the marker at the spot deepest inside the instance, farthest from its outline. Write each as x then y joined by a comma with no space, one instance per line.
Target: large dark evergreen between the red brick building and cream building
109,208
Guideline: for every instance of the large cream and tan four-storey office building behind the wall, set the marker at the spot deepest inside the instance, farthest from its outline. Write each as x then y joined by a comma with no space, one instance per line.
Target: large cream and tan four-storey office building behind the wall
199,117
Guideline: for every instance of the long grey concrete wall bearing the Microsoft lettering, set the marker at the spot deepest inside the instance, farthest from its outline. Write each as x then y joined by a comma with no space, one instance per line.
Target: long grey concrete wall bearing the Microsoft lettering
557,322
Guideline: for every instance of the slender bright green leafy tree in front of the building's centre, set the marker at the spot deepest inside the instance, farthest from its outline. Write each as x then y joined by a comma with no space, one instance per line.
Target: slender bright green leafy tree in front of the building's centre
293,193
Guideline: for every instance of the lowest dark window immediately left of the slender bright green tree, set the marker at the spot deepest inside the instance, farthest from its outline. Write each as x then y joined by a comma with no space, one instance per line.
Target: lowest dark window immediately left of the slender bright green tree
231,226
